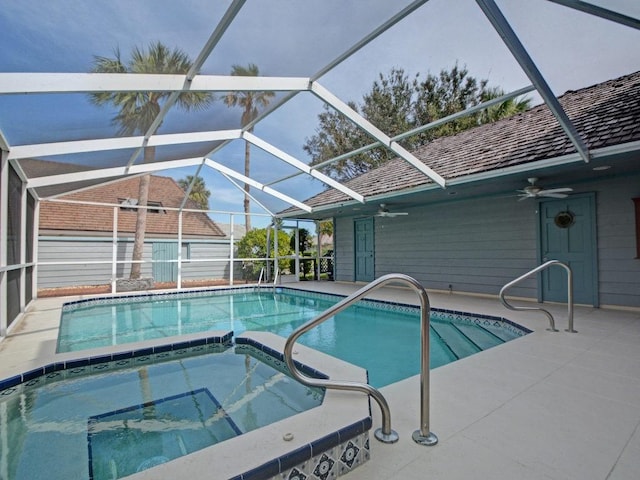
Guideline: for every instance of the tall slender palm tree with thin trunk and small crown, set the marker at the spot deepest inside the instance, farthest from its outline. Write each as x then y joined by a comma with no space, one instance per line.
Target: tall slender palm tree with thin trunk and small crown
249,101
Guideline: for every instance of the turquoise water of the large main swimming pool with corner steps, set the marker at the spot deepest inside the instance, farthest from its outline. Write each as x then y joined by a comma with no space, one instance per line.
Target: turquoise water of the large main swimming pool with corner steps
384,338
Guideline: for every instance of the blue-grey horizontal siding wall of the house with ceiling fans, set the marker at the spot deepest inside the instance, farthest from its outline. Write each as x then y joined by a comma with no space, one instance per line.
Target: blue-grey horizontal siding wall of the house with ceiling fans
479,245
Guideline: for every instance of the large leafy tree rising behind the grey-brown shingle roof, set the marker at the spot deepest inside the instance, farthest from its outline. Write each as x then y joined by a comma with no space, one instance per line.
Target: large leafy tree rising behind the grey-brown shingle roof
397,104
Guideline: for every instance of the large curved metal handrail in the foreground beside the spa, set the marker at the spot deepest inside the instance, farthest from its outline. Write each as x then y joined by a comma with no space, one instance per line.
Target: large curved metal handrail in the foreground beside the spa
385,434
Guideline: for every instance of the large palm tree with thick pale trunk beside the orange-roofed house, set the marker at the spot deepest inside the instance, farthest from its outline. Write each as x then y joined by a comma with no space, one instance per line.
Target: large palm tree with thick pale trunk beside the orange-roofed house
138,110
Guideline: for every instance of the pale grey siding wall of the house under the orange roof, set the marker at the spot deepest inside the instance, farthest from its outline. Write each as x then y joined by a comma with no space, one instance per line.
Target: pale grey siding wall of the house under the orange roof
91,249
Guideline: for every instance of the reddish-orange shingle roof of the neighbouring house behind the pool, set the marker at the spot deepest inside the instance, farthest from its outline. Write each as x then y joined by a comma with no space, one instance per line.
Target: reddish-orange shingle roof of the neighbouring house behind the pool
94,218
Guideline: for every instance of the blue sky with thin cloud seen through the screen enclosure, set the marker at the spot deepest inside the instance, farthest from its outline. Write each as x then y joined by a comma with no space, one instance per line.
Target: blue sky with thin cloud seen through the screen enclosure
288,38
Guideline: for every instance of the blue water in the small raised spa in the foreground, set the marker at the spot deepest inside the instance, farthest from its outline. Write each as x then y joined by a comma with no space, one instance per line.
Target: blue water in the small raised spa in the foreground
110,425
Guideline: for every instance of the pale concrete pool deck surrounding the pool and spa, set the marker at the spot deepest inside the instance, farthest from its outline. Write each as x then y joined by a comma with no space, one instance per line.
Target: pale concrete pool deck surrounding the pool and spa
551,405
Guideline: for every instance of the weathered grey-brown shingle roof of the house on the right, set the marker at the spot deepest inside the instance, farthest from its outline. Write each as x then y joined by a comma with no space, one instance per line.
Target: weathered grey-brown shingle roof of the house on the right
605,114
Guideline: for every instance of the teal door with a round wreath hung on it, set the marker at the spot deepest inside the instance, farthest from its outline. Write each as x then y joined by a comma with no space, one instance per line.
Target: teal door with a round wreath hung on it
567,233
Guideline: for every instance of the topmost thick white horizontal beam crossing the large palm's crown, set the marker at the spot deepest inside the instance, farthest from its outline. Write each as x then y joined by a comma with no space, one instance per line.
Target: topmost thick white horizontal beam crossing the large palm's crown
21,83
